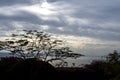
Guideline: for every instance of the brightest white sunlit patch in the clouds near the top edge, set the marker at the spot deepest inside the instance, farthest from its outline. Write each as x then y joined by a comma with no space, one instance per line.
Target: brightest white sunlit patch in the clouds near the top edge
43,8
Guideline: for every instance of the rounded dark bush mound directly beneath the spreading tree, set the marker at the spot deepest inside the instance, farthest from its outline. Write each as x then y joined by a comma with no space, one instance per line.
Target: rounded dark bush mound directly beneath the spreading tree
33,69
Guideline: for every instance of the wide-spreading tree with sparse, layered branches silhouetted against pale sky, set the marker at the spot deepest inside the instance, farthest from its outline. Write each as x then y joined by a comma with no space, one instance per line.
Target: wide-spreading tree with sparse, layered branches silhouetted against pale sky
35,44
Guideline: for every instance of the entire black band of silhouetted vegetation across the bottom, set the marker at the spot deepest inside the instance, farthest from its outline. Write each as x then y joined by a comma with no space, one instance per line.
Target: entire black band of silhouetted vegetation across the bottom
20,69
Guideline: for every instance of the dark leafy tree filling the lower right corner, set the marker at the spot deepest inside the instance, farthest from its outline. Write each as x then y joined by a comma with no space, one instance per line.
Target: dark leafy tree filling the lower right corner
109,68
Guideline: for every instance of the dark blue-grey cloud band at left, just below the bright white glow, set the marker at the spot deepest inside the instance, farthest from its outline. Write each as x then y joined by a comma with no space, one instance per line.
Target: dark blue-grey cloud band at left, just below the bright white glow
23,16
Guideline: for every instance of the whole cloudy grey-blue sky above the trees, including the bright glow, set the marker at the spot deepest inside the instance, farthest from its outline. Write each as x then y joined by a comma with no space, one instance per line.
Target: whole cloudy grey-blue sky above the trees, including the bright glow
90,27
